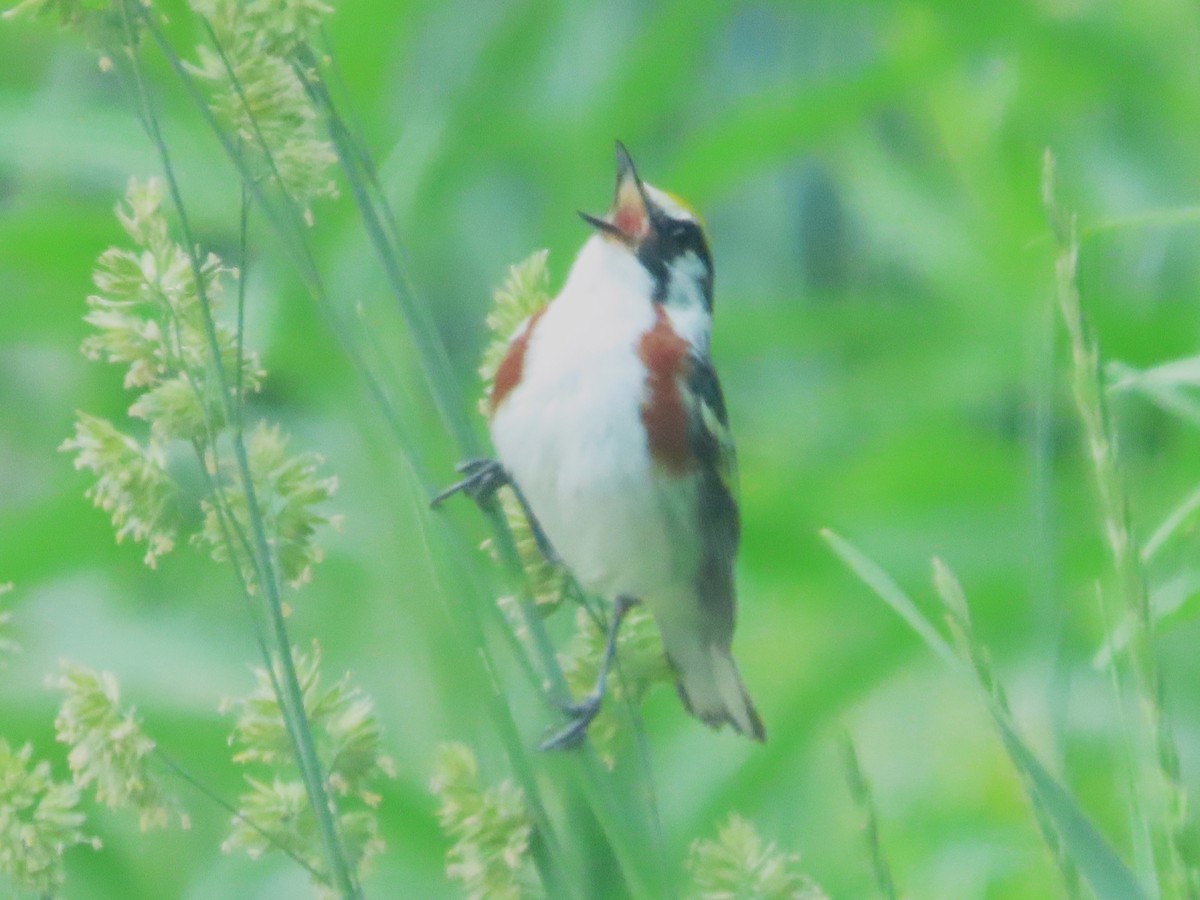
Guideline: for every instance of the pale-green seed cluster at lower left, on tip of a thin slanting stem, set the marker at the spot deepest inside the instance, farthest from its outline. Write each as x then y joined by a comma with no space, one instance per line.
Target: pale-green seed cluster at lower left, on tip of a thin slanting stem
110,752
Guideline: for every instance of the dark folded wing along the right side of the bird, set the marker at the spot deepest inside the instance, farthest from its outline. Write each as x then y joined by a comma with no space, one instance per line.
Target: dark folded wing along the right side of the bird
712,442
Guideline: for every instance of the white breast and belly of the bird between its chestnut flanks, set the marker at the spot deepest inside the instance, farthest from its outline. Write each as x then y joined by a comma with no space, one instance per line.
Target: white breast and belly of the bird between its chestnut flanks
572,435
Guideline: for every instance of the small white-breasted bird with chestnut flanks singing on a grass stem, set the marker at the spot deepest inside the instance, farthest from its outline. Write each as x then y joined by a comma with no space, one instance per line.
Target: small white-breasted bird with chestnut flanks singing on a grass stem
610,425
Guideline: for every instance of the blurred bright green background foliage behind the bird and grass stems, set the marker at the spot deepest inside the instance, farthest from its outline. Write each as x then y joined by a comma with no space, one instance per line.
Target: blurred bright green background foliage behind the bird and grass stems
886,334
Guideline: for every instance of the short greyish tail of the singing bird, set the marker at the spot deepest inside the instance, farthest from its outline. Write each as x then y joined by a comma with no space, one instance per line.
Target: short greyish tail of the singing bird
710,685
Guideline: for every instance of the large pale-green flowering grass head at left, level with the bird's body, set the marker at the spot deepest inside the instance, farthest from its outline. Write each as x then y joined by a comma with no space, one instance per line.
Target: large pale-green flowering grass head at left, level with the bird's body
151,317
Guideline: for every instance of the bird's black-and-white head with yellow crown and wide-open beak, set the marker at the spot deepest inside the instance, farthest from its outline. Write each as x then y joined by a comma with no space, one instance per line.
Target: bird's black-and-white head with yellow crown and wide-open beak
663,232
